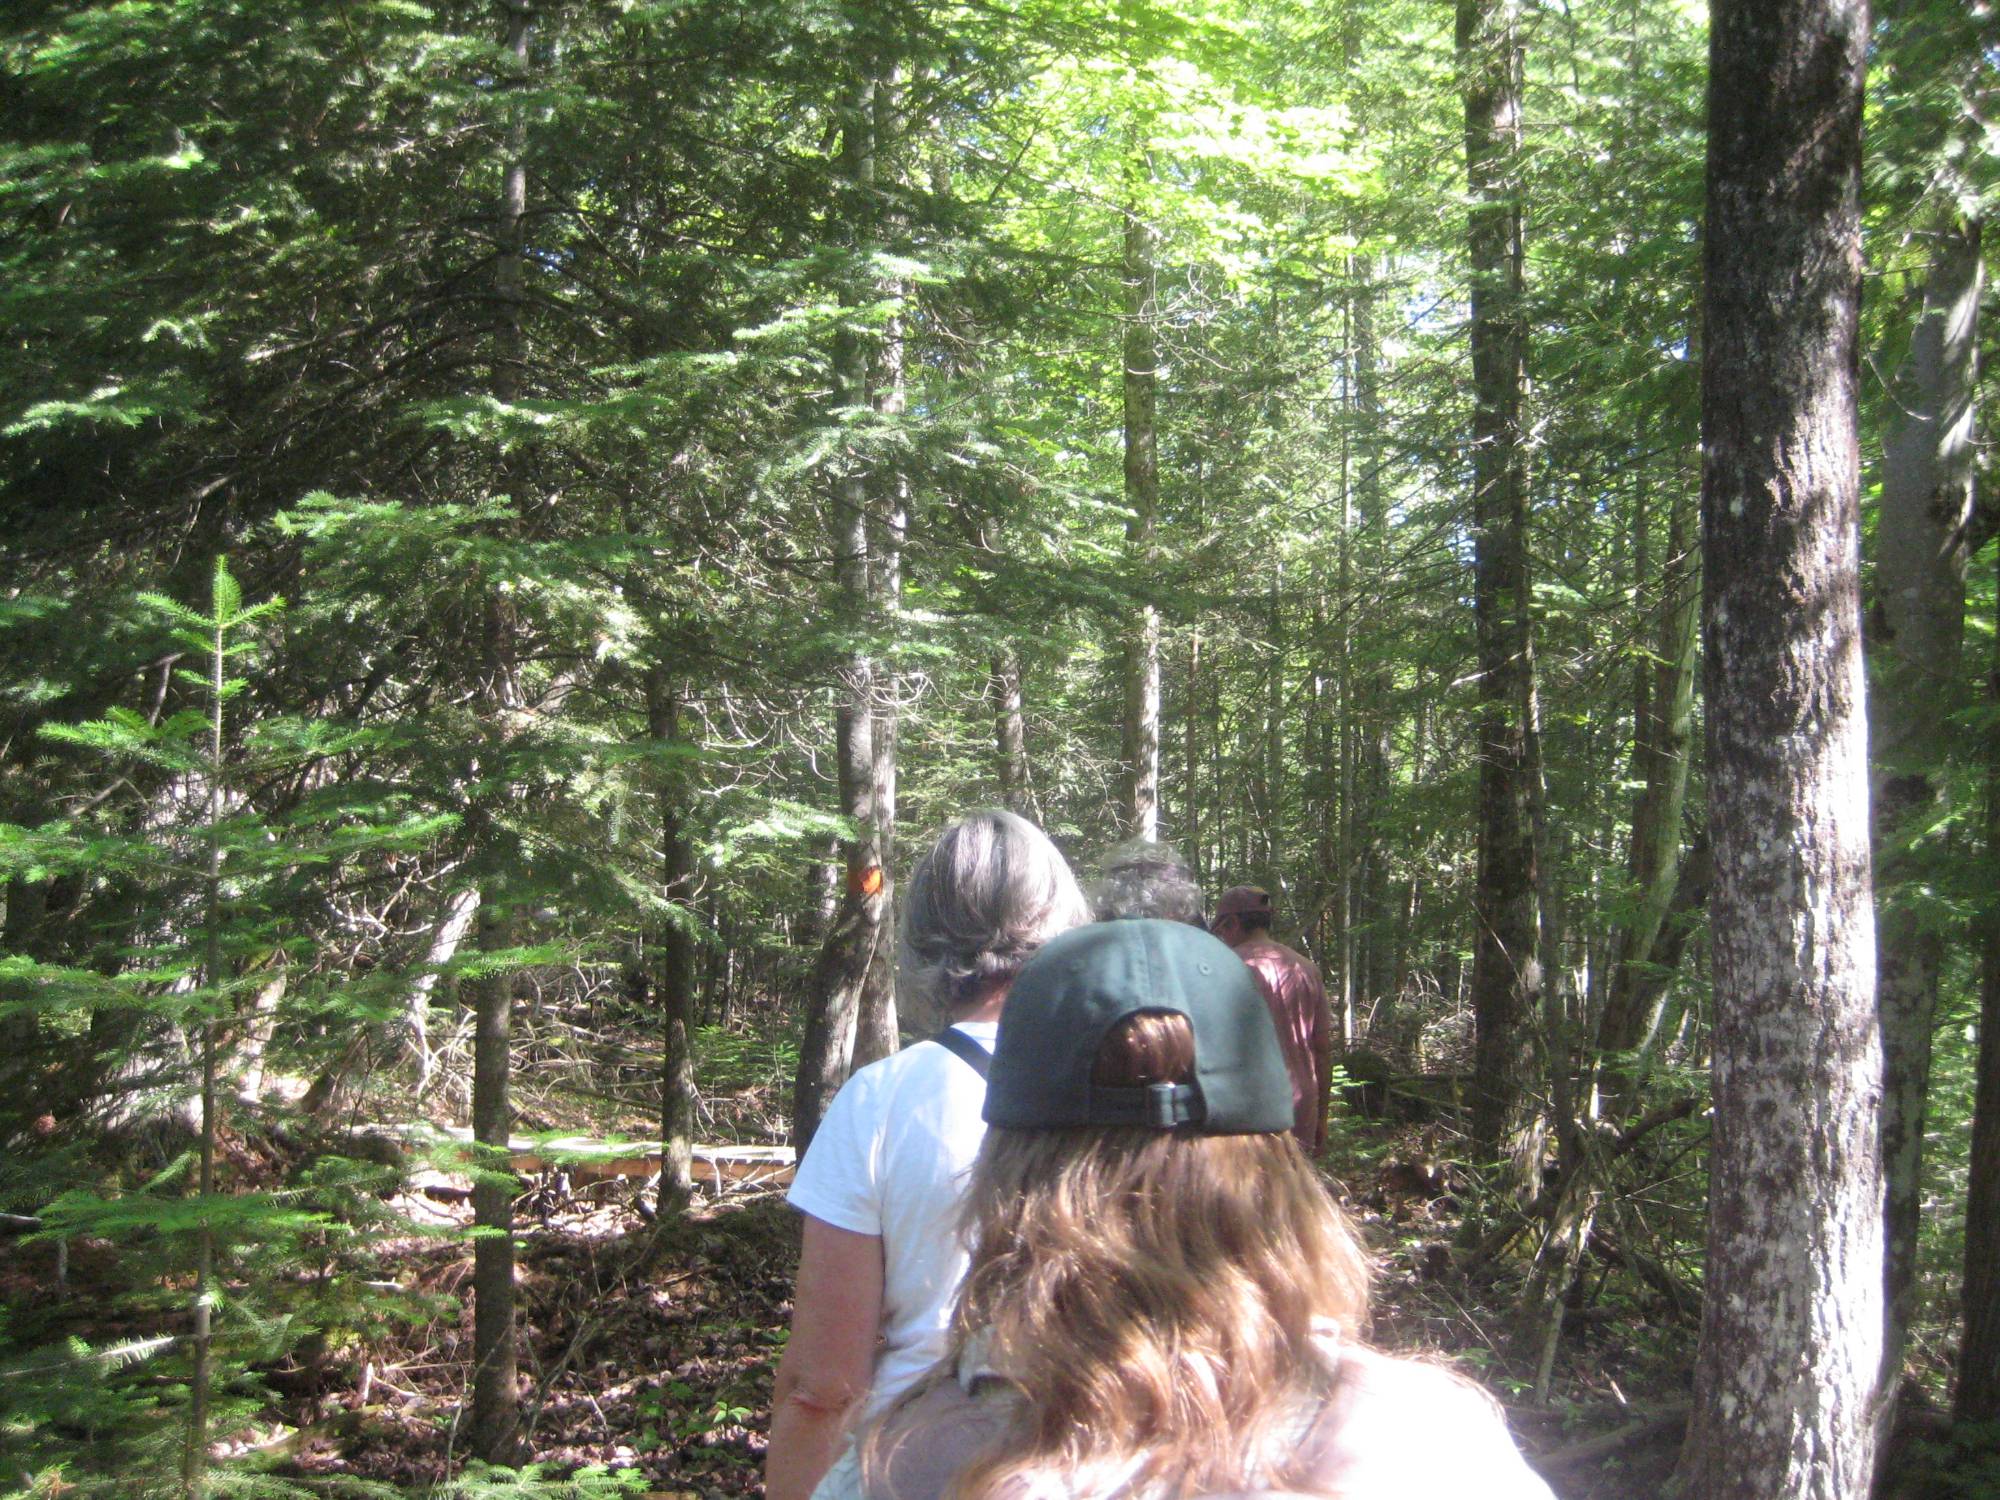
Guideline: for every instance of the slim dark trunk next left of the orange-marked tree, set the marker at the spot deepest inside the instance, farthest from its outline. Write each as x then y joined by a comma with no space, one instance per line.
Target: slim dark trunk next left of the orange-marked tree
675,947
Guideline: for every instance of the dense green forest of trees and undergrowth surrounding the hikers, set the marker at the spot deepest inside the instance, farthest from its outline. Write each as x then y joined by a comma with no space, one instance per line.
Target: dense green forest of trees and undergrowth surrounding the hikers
519,519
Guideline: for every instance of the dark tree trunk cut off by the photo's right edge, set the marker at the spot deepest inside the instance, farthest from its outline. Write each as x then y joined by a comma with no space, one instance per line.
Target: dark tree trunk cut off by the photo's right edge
1979,1351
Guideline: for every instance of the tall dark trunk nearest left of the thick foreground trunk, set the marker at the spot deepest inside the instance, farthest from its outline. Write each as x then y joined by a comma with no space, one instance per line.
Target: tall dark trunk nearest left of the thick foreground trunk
1507,971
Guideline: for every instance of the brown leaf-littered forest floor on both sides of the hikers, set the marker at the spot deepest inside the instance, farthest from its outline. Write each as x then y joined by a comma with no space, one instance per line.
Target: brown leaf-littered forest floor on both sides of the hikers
649,1347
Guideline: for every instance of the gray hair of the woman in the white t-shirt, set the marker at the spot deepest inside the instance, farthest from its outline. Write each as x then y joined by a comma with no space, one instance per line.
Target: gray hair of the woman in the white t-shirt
987,895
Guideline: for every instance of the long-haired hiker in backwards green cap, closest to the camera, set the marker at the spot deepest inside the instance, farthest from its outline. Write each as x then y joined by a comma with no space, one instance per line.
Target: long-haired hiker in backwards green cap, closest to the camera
1163,1297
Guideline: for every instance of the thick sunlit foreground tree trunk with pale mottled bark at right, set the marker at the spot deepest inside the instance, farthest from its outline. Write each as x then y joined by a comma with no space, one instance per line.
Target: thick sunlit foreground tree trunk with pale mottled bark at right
1789,1367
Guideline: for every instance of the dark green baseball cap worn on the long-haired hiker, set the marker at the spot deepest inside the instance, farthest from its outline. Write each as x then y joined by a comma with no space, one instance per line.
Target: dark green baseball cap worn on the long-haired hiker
1081,985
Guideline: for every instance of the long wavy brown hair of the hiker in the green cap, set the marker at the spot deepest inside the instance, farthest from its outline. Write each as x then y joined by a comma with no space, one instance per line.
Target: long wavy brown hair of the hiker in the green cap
1155,1299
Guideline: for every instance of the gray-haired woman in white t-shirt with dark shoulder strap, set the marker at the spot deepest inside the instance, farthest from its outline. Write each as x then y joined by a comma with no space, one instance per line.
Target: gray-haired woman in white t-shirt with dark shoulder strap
885,1175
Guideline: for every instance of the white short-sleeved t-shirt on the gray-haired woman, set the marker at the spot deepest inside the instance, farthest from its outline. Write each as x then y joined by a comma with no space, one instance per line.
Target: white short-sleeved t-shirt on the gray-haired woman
891,1159
